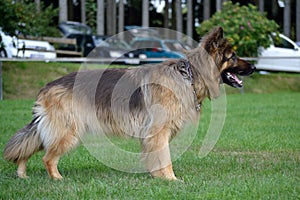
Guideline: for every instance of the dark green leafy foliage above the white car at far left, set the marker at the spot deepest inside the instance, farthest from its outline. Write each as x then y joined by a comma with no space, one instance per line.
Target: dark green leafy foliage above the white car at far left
23,16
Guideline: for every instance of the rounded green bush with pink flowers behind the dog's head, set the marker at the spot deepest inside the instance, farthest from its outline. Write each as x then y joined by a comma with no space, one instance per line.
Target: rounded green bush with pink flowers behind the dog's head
244,26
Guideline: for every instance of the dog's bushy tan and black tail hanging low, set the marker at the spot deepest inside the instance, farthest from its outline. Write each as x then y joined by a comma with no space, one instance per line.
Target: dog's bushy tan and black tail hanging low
23,144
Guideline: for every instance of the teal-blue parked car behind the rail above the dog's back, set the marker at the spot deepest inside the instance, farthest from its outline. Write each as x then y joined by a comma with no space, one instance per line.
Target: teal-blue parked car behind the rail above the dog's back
154,48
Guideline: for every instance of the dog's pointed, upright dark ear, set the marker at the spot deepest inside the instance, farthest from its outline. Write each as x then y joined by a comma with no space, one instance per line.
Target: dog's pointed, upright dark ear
213,40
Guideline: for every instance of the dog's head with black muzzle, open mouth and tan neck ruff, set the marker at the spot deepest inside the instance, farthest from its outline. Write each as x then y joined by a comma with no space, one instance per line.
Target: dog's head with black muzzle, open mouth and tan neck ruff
218,62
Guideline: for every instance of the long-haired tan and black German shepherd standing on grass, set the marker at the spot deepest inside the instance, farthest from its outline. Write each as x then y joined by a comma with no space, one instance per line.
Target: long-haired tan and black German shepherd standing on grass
151,102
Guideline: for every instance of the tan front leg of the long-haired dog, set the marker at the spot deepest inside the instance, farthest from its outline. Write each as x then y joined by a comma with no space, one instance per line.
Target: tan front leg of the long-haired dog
156,154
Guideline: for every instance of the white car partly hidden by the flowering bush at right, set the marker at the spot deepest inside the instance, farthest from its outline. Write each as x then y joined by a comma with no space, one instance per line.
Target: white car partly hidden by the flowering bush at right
282,55
